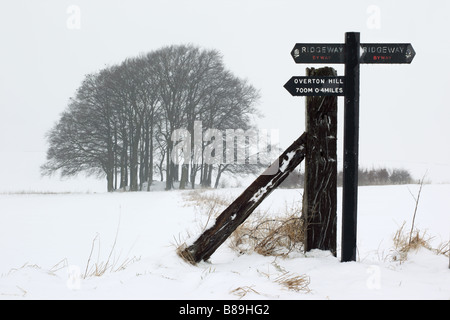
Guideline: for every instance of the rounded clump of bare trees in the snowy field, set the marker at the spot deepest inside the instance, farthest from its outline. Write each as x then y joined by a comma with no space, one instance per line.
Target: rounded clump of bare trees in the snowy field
120,122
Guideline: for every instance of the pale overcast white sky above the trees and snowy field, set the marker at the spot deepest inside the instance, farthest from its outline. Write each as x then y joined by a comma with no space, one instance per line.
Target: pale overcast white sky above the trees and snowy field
404,108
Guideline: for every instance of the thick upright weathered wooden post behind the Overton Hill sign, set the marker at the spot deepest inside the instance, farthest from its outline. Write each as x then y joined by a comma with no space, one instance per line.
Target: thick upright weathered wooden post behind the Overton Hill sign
320,195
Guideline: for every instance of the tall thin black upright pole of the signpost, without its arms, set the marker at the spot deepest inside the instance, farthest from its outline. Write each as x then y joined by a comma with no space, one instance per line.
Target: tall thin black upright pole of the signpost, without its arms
351,137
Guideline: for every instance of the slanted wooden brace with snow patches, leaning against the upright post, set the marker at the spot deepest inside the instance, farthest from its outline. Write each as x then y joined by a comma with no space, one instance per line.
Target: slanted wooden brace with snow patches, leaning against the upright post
233,216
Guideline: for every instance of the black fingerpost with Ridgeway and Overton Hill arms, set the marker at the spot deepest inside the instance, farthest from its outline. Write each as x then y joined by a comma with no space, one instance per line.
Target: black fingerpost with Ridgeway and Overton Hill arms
352,53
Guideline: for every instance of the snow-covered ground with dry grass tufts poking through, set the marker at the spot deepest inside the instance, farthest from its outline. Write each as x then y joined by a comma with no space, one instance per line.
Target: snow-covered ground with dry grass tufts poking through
48,240
